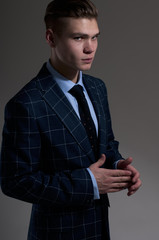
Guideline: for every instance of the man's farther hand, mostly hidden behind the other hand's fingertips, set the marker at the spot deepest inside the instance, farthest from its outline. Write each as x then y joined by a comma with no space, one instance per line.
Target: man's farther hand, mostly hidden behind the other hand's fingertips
135,181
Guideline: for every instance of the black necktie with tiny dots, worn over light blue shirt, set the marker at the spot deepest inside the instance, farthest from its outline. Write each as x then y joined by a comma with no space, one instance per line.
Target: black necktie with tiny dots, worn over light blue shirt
86,119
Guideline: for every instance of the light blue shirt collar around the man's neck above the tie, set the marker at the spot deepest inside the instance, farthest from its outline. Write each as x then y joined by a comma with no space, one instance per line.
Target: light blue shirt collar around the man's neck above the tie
64,83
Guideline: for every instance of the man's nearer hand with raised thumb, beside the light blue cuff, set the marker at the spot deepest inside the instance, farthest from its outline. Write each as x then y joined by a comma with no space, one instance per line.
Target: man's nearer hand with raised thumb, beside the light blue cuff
109,181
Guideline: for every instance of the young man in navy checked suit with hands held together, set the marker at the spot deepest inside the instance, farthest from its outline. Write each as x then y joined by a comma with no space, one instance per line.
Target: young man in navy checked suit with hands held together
52,155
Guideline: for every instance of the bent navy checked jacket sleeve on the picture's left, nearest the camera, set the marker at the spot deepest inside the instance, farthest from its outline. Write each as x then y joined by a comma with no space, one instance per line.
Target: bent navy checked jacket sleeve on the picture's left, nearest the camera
21,173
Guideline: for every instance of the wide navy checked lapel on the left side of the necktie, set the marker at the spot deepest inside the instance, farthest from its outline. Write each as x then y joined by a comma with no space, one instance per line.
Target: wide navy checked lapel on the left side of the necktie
54,96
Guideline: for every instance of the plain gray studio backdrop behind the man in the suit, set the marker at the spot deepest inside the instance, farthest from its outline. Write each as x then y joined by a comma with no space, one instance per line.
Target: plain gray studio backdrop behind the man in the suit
127,60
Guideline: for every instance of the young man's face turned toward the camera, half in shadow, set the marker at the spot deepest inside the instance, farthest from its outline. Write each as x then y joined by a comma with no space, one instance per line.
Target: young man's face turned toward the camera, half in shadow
75,46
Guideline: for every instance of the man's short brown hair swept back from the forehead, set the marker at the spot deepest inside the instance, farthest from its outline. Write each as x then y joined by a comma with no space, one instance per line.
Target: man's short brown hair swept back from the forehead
69,8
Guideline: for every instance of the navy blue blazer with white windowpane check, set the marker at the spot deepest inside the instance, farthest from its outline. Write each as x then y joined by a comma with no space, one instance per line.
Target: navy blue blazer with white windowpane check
44,156
